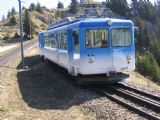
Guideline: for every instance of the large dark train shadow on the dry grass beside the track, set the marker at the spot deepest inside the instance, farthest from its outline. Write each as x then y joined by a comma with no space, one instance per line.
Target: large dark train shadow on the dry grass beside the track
43,87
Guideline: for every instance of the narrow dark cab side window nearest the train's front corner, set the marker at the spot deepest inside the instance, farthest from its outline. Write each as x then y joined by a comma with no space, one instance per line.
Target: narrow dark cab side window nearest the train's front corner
76,41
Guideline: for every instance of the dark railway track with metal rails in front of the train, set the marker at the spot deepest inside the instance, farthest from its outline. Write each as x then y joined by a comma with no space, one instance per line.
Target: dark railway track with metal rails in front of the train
144,104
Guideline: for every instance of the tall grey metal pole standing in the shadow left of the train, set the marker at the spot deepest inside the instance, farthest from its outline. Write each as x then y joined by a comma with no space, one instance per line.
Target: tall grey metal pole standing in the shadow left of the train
21,34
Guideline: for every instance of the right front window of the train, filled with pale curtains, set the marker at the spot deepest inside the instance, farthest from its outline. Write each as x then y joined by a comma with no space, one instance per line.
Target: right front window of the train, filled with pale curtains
121,37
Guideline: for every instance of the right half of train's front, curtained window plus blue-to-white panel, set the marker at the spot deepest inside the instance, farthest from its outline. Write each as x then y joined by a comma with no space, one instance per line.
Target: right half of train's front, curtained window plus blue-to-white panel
122,48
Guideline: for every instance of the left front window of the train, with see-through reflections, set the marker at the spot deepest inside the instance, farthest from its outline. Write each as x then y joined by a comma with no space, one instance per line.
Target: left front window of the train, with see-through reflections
97,38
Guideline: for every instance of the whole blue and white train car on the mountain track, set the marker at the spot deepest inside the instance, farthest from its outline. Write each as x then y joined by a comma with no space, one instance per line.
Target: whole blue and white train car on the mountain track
98,49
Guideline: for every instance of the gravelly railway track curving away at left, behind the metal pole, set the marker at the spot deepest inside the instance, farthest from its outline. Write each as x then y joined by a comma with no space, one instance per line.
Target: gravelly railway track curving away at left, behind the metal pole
6,57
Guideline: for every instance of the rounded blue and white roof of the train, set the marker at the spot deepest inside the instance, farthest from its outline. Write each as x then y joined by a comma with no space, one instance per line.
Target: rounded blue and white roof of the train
90,22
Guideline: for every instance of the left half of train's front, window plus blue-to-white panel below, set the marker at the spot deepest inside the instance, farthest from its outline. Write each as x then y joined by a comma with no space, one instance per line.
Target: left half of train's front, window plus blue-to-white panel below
97,51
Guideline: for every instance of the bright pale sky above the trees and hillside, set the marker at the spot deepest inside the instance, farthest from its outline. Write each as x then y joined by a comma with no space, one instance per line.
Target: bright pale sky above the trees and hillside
6,5
